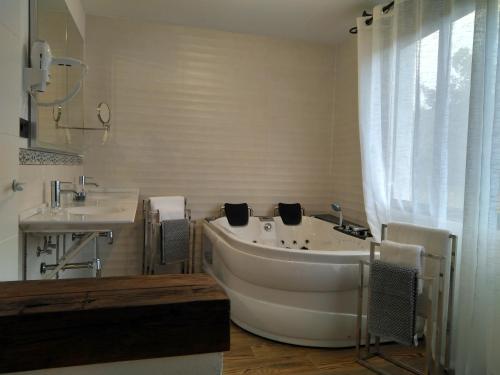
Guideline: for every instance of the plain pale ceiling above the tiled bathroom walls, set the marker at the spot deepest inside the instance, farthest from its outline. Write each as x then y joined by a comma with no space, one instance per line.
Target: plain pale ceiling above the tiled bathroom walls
324,21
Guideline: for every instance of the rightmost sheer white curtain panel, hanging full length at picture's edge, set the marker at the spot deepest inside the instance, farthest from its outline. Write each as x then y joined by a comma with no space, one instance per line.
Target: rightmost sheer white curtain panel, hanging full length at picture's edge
478,346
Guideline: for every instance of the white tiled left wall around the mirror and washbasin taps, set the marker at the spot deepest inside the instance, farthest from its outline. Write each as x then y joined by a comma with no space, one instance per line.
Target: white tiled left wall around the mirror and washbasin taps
13,104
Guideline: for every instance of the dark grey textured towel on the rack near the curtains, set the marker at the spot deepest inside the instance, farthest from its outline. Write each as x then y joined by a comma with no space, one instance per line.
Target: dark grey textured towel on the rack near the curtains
392,302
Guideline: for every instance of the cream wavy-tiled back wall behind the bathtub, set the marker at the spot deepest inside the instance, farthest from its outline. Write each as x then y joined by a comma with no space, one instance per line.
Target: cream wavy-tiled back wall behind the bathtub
210,115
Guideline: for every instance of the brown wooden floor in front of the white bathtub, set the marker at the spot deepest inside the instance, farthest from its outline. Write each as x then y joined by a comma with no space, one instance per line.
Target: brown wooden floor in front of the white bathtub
252,354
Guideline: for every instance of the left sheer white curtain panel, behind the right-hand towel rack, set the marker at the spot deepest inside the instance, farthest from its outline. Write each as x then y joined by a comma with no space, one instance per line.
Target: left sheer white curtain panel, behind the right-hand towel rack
414,82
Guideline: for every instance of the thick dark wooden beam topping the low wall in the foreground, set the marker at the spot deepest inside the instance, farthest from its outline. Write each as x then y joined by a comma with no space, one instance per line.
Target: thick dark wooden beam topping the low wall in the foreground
55,323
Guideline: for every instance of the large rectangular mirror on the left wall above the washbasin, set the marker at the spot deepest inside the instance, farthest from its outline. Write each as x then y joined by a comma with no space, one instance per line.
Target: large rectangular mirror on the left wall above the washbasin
51,21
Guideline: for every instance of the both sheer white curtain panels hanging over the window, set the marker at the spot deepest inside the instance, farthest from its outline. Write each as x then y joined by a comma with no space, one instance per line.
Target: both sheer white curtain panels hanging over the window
429,107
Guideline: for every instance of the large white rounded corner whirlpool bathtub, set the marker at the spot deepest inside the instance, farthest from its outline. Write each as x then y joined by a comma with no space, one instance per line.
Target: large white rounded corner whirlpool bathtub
294,284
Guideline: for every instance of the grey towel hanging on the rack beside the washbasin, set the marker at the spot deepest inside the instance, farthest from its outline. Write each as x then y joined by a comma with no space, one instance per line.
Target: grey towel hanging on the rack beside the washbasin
174,241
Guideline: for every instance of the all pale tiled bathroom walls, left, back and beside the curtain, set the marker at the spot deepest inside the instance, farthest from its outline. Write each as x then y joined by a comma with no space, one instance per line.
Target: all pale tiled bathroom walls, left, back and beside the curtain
211,115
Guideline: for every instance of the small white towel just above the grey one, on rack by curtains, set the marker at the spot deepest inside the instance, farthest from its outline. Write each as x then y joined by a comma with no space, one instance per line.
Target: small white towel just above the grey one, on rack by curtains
404,255
